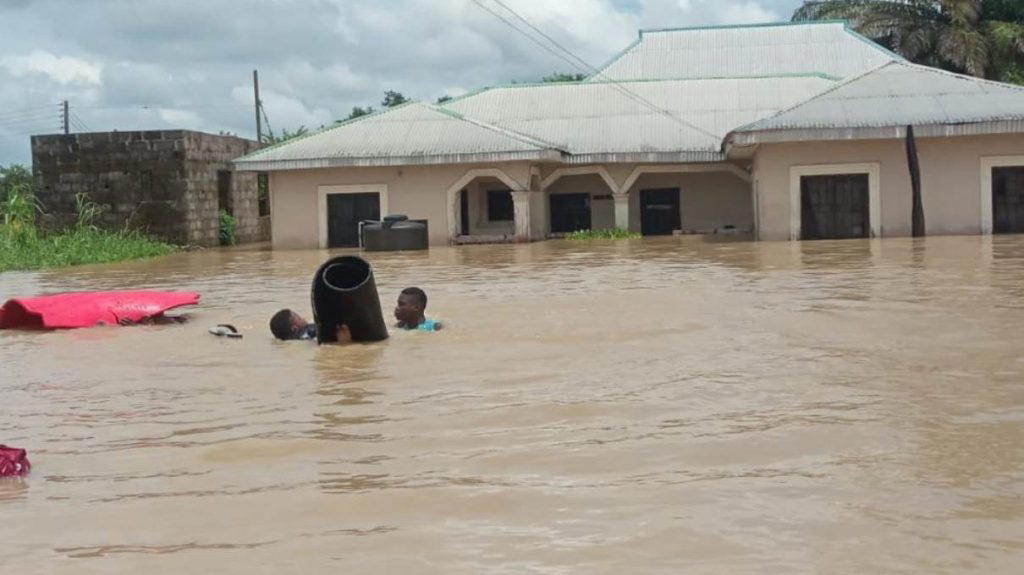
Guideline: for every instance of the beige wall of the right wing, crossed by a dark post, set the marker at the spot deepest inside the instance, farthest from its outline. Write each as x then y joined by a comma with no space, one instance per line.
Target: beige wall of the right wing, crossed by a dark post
951,171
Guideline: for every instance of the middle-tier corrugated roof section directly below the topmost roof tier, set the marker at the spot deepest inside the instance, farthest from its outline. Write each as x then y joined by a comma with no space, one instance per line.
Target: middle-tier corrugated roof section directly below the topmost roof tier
598,121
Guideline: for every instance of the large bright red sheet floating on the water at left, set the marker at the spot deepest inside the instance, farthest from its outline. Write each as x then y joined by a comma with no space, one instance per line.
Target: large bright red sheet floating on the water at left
87,309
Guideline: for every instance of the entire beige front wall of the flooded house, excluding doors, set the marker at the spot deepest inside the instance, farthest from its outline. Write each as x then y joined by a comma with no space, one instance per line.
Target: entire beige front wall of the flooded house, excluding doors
952,179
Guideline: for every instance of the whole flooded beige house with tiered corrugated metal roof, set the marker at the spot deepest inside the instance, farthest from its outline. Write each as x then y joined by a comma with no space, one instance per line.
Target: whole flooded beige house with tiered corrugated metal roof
780,131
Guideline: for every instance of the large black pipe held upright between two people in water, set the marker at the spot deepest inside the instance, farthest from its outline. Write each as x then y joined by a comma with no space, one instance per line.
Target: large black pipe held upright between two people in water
345,292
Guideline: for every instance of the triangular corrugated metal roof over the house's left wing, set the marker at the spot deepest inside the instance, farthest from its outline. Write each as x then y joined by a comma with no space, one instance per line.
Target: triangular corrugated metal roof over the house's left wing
414,134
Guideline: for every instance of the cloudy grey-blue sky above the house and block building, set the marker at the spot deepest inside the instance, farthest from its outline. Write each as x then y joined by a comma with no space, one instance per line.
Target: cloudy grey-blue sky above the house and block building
139,65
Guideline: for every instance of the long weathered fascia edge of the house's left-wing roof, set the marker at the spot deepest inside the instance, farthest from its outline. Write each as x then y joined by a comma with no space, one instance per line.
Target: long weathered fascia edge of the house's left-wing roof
255,165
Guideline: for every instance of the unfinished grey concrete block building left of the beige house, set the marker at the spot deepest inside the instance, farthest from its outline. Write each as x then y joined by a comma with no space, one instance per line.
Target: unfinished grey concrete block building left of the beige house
170,184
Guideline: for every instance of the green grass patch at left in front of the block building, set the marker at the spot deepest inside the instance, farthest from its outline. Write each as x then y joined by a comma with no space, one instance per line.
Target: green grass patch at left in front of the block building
24,247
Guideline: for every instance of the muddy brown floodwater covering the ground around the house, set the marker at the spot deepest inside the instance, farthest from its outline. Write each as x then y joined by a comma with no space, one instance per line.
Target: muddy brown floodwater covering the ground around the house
652,407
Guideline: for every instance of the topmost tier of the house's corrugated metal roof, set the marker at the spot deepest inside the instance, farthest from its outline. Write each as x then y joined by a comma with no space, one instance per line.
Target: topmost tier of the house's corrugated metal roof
829,48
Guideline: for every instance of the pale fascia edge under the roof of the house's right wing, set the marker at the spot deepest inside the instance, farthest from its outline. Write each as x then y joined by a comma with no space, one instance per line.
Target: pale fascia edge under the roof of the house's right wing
993,127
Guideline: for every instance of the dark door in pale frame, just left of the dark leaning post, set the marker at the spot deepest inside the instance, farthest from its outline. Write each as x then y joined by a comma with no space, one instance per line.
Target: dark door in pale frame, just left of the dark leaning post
835,207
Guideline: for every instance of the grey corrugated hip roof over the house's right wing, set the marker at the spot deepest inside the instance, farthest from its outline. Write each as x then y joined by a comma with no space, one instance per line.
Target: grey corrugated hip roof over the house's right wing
897,95
